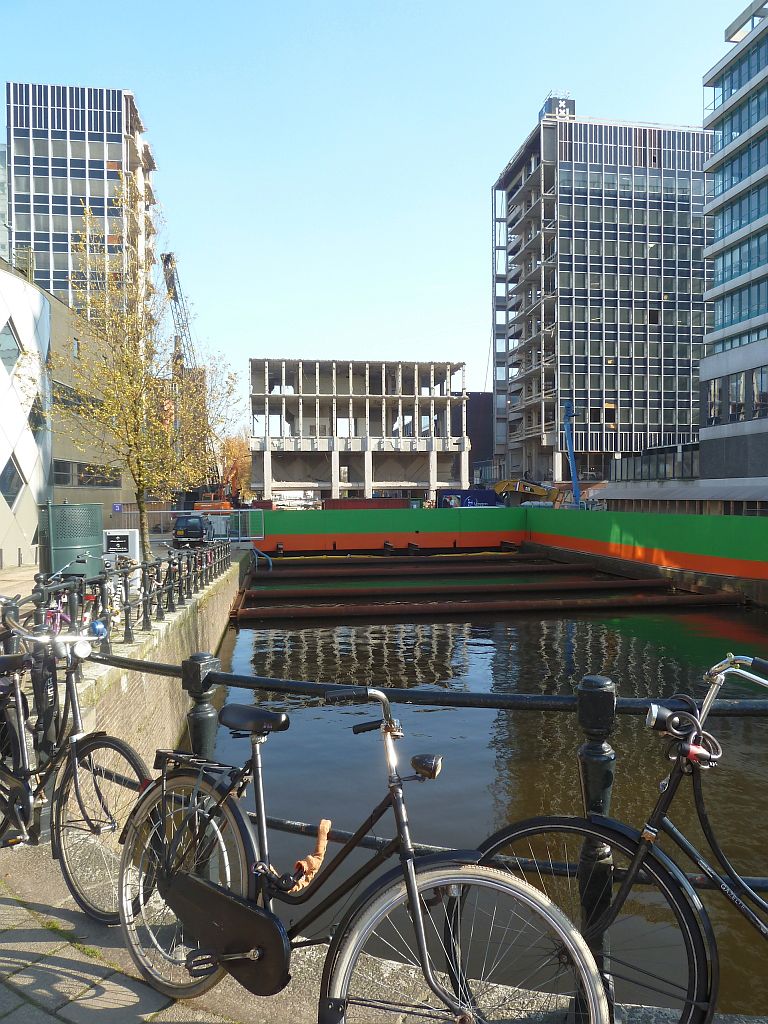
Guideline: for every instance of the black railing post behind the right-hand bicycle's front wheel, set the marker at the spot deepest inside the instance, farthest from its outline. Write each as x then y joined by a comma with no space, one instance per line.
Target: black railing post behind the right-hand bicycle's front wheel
596,710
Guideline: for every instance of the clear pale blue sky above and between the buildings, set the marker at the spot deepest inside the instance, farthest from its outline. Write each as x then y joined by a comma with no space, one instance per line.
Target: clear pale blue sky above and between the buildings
325,169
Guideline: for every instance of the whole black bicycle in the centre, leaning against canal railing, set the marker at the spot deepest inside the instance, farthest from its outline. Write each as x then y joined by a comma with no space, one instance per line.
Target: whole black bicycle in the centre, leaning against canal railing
438,938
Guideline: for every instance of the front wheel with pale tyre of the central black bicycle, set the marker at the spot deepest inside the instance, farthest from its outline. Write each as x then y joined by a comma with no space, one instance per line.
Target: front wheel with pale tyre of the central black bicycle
506,938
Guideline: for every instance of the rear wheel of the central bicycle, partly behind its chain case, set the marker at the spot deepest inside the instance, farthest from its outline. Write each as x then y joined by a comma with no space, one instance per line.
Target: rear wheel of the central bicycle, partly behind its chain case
154,935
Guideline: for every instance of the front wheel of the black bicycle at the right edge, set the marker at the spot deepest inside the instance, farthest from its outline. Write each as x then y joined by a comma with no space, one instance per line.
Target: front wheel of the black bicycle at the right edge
656,954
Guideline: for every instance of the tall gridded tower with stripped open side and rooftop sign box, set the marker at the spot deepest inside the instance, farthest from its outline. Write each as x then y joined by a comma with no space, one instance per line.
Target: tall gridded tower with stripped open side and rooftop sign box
600,234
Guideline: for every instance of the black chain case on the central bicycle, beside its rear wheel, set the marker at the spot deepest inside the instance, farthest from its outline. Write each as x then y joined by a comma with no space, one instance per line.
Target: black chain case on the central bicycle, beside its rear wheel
228,925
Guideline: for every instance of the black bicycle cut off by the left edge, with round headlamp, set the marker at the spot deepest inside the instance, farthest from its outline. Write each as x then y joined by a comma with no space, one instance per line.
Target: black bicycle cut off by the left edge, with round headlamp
88,782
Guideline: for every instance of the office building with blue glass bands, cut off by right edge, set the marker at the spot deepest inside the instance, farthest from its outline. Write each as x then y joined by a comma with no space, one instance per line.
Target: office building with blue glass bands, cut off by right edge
735,375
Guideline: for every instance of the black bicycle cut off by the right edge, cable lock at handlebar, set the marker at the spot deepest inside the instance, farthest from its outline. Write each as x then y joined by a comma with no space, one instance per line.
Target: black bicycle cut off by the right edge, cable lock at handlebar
638,912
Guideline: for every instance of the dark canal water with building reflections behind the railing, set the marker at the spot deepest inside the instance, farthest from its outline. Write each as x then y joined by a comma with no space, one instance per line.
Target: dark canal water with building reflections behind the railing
501,766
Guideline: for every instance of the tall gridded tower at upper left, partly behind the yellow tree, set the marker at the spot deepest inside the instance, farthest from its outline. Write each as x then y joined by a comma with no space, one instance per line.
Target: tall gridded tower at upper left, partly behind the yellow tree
69,147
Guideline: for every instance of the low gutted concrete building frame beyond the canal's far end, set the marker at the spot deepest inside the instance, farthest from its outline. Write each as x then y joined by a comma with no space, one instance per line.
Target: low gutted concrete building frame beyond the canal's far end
358,430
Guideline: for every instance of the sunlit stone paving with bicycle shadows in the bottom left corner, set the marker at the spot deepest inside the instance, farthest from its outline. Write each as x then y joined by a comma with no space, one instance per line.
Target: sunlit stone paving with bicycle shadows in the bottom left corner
57,965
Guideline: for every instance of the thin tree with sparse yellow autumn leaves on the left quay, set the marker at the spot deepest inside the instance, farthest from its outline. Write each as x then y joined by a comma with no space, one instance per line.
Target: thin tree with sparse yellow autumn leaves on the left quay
131,397
